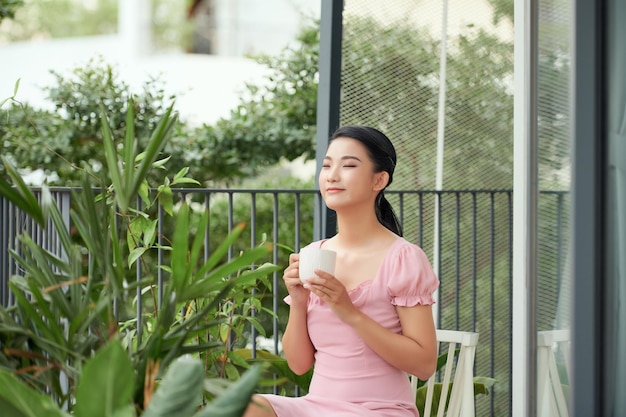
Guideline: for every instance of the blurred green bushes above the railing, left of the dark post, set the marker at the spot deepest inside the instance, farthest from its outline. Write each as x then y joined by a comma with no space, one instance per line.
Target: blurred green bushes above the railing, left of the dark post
274,122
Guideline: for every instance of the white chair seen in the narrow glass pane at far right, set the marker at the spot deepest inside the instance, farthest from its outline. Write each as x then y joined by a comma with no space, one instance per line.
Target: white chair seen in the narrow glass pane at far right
550,397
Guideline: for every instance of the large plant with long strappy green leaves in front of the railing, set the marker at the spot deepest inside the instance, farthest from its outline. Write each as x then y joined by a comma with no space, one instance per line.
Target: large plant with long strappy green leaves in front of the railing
73,309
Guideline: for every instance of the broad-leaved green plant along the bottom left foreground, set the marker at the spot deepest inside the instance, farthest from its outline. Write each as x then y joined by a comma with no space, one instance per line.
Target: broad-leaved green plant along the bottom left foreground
107,386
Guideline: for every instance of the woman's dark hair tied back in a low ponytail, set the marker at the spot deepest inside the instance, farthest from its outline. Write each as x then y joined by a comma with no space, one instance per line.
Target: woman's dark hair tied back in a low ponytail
383,155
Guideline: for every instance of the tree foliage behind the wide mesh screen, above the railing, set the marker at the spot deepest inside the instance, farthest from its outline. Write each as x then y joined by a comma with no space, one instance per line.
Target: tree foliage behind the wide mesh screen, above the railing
391,80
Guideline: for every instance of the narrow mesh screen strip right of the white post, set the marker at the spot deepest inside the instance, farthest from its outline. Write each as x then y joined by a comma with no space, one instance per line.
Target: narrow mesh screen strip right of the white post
553,122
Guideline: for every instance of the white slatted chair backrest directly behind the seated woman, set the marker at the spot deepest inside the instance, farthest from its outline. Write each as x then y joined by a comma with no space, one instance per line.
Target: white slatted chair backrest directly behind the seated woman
458,370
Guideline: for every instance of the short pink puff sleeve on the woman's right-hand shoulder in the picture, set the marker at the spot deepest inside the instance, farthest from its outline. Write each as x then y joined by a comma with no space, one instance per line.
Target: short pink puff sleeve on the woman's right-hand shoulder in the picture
411,279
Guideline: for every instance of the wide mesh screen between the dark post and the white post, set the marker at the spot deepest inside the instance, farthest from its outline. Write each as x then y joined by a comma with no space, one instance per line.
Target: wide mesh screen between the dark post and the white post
392,78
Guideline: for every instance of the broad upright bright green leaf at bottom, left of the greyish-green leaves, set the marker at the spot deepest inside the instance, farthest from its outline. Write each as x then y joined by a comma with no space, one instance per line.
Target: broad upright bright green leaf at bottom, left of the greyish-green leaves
106,384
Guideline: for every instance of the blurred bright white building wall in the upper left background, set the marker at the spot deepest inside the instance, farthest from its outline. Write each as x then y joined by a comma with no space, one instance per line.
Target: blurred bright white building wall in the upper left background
207,87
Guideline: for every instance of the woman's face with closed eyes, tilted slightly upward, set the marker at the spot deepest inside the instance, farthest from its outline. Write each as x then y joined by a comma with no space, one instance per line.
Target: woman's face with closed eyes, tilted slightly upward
347,177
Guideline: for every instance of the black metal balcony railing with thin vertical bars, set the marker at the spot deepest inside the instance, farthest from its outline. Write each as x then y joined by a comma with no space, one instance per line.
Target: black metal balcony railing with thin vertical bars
466,233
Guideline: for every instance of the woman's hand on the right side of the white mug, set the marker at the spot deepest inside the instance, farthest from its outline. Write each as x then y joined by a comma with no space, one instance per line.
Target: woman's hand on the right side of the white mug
330,290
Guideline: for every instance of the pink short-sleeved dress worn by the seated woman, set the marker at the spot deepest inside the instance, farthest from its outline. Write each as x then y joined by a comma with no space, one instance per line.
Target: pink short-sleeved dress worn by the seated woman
349,379
